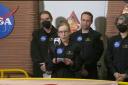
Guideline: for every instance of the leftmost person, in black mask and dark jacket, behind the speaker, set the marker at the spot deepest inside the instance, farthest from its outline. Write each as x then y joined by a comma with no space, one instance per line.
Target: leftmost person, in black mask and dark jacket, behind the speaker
40,43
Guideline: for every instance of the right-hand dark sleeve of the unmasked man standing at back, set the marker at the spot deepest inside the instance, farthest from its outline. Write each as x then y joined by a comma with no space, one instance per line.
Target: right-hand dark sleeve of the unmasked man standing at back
97,50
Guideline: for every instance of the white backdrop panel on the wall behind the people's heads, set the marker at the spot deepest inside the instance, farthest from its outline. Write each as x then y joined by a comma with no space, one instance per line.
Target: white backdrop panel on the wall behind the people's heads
64,8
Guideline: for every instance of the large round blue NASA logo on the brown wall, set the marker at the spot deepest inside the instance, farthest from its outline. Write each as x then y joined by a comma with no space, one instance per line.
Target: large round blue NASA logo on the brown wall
6,21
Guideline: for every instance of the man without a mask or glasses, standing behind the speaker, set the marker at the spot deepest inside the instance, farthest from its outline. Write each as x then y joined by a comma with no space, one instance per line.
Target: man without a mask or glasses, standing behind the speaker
92,46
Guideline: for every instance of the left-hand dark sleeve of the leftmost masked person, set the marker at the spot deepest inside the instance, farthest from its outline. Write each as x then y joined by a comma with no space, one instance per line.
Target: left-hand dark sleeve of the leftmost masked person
35,53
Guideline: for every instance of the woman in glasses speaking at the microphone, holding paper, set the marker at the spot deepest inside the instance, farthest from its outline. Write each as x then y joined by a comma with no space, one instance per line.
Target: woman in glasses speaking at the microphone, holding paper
63,53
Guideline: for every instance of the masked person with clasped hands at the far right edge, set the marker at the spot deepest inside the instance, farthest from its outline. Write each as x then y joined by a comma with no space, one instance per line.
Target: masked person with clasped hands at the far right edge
117,51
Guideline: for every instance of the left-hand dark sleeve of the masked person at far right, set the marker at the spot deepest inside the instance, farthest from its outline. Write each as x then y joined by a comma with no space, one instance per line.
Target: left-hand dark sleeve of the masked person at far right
109,57
